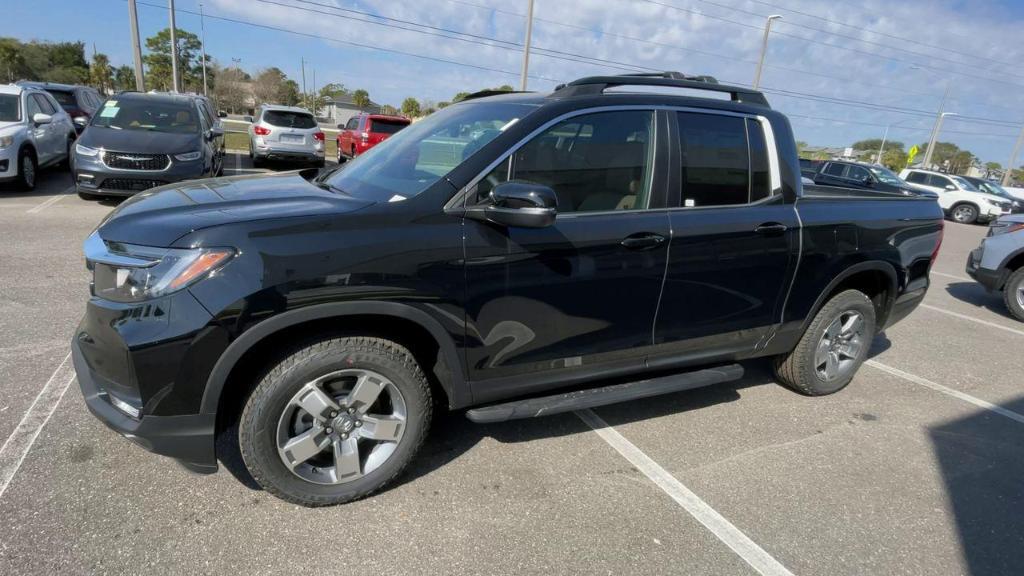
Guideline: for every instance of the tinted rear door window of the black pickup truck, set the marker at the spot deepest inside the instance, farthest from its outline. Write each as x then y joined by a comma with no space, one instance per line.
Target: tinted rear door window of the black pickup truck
724,160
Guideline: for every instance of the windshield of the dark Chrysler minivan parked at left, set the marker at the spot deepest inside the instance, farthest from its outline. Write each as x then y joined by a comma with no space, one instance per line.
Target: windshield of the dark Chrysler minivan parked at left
148,115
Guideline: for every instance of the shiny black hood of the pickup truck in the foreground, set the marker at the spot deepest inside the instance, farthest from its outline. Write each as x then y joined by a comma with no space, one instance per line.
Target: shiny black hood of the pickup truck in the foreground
162,216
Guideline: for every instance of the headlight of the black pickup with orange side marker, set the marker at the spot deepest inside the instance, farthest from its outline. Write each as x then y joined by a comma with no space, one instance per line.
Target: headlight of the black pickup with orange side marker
131,274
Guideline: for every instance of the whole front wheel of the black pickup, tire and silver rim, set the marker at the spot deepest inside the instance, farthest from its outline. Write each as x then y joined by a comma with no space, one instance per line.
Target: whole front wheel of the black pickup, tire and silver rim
336,421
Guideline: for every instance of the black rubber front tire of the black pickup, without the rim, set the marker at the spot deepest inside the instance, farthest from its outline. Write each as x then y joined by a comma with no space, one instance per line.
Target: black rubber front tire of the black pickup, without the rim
260,422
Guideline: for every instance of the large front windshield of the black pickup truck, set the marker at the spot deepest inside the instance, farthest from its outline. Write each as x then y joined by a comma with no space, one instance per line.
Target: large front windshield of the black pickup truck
413,160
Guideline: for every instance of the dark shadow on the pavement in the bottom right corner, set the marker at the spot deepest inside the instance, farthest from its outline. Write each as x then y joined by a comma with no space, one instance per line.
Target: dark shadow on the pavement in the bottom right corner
980,459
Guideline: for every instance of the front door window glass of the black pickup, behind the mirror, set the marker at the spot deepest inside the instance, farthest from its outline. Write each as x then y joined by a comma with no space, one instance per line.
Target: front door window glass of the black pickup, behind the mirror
596,162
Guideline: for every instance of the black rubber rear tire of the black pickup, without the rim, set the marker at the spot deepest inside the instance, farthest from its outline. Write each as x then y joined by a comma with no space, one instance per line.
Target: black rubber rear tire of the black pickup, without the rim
797,371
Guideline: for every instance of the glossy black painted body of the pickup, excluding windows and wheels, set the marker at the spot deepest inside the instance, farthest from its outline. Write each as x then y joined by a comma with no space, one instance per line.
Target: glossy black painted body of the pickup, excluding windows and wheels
513,311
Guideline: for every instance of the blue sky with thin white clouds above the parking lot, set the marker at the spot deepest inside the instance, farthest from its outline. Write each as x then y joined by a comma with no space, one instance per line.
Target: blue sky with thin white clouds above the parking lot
842,71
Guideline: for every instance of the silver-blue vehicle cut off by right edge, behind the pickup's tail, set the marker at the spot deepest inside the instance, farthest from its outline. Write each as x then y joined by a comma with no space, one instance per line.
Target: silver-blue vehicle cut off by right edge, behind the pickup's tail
999,263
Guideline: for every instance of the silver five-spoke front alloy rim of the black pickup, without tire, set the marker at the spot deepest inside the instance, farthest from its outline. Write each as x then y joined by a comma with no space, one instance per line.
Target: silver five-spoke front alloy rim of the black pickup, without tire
342,427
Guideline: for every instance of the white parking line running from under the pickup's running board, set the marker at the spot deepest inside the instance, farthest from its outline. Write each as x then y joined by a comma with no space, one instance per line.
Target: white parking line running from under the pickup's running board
732,537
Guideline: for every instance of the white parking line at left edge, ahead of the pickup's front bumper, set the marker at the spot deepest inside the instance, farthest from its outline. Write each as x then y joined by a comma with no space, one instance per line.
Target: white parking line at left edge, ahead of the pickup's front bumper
17,447
